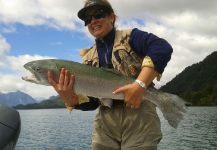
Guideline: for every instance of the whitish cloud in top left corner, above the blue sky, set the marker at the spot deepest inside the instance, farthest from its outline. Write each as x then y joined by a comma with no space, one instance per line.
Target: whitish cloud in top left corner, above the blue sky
57,14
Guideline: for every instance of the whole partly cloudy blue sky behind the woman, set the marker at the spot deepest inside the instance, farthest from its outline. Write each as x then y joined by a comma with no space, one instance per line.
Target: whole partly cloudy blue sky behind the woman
41,29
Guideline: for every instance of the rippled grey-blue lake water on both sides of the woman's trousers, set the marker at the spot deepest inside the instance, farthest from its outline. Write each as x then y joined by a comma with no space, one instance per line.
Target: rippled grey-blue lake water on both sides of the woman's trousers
57,129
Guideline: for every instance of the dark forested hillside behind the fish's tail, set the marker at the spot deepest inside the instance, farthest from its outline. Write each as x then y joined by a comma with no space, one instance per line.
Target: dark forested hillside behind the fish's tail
197,83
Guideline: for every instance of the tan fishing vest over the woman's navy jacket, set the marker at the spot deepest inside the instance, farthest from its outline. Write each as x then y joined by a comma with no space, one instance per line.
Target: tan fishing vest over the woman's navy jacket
124,59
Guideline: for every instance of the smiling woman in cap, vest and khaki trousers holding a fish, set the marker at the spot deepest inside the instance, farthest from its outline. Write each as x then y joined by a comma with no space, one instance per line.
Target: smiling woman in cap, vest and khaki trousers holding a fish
132,124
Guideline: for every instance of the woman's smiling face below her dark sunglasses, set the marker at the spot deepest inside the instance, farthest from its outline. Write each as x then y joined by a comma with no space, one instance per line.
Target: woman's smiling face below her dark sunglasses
102,26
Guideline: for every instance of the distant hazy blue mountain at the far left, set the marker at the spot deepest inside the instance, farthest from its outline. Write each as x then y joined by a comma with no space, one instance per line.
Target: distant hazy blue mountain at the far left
14,98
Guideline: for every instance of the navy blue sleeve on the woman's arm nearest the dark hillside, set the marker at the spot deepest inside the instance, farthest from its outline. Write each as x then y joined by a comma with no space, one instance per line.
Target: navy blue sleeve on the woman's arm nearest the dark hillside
148,44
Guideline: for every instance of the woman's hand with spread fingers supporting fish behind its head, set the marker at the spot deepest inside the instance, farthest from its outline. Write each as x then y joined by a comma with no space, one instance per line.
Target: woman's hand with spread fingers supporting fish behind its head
64,87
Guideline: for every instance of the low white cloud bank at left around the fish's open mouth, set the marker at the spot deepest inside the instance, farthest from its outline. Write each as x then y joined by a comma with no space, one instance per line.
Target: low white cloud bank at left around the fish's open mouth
11,71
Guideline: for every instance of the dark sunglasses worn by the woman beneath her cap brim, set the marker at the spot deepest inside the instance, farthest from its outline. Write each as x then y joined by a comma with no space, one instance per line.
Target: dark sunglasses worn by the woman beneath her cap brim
98,14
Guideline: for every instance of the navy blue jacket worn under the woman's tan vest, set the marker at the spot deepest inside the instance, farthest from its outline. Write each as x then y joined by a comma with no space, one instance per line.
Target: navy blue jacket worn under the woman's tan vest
143,43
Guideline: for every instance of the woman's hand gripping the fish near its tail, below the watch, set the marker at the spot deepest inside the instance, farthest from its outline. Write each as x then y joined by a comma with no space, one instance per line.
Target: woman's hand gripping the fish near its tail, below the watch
133,94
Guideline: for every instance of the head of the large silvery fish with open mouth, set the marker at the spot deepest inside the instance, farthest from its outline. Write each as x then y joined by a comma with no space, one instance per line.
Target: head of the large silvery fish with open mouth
39,70
